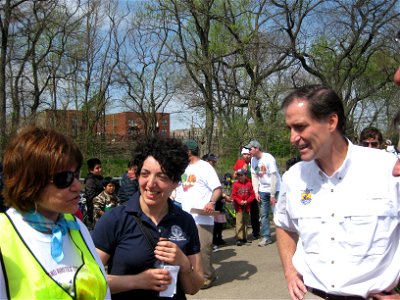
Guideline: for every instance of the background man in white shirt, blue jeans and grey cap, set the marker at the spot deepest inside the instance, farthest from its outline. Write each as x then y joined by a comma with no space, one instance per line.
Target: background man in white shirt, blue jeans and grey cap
266,181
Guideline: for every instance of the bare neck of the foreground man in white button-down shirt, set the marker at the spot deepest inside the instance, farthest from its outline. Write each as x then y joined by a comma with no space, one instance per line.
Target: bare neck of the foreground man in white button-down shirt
334,157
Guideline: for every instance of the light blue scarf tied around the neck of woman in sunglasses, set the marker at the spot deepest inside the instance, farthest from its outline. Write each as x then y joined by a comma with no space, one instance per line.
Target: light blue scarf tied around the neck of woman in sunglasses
57,229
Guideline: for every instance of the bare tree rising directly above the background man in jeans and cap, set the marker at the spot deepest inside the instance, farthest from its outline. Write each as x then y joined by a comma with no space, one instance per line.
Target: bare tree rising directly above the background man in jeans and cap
259,50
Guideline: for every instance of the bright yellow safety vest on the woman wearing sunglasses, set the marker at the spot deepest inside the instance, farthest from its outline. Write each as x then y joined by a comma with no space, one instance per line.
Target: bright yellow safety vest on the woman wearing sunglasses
26,278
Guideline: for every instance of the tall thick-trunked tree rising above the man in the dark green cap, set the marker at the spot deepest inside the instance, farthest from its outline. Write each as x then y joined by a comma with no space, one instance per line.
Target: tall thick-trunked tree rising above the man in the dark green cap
192,22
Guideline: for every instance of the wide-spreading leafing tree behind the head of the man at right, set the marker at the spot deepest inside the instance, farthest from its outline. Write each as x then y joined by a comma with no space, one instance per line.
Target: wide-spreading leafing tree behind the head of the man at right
341,44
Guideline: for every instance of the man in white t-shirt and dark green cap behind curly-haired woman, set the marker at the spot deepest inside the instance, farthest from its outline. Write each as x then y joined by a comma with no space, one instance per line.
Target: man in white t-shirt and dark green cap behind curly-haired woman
199,189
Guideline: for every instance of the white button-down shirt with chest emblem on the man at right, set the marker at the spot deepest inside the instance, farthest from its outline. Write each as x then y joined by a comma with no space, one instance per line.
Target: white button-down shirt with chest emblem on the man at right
348,223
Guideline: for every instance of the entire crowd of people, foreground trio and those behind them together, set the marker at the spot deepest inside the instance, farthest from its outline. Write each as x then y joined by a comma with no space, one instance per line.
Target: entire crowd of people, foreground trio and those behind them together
151,235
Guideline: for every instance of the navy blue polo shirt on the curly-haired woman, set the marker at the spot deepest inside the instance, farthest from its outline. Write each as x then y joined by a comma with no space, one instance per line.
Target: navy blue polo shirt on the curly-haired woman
117,234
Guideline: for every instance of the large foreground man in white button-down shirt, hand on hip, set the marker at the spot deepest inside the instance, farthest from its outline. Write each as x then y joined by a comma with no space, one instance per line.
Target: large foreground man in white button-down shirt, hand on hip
338,214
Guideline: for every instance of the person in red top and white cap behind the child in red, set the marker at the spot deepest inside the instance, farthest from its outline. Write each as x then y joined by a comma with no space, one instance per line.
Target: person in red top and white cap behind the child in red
243,163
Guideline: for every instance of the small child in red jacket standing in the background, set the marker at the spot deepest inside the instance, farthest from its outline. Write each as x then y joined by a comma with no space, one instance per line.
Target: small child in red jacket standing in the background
242,195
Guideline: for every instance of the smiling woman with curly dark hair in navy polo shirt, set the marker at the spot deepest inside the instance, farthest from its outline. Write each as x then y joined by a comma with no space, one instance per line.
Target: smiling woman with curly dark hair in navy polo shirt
131,238
